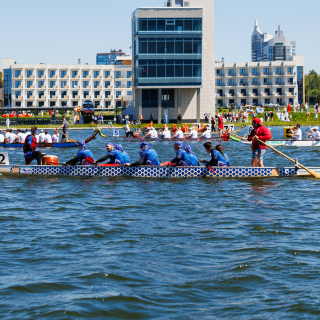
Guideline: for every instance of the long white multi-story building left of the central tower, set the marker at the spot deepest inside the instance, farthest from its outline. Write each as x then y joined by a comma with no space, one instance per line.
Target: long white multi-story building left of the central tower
57,85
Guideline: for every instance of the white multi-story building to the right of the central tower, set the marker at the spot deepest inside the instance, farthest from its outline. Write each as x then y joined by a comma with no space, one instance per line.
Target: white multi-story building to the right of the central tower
256,83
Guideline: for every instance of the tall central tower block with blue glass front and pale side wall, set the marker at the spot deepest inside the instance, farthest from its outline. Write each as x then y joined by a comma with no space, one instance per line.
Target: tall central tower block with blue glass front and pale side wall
173,60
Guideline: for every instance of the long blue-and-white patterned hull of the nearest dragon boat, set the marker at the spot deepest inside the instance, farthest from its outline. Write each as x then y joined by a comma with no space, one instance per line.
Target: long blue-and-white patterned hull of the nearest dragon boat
153,172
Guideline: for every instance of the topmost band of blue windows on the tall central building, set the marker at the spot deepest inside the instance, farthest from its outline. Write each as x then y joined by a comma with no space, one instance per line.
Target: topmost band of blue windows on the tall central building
174,24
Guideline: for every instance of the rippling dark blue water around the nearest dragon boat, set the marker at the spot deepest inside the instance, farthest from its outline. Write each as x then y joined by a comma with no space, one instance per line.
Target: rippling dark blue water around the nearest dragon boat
126,248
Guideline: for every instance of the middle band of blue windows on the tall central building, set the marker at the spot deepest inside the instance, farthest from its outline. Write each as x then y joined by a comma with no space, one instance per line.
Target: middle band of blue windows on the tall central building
169,46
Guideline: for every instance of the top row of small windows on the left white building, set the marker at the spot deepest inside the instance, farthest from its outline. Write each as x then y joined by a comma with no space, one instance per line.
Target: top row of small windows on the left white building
74,74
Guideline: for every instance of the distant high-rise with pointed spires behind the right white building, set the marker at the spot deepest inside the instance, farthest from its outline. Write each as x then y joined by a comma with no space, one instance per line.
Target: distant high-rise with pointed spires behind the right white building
264,47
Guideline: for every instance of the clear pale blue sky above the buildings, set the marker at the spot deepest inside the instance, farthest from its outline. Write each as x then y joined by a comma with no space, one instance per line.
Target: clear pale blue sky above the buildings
62,31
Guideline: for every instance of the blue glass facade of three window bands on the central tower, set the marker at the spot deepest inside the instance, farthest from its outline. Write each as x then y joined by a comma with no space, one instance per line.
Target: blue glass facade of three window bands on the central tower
172,56
